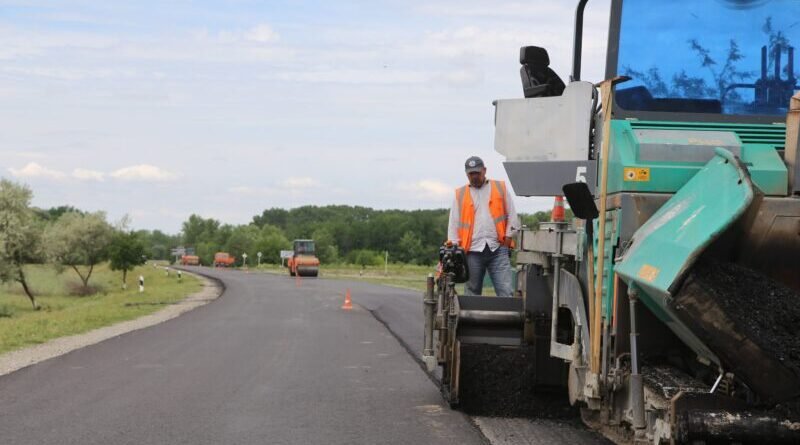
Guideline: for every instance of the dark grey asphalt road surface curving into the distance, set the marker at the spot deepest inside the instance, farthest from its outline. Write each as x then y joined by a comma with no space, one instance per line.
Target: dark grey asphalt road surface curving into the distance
269,362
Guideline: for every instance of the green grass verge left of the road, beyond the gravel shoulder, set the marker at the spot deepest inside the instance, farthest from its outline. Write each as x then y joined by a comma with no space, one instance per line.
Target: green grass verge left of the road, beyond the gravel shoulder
63,313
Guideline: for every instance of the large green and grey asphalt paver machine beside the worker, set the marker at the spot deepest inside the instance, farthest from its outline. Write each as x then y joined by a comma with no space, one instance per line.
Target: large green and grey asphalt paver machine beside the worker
672,301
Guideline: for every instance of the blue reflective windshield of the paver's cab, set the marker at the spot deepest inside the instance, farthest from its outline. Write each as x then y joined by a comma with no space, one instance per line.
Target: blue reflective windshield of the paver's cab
708,56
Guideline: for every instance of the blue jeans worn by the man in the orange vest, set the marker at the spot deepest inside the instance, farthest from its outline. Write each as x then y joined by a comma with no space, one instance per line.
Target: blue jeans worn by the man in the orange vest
497,263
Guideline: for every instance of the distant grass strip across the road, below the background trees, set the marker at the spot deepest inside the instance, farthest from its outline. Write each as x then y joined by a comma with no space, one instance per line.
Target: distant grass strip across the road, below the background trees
405,276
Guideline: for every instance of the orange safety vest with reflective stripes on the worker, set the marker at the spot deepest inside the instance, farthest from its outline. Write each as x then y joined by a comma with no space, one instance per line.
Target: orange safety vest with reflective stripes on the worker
497,209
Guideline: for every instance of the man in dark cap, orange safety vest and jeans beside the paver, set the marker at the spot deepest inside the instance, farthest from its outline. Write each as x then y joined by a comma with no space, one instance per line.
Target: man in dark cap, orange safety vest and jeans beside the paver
483,222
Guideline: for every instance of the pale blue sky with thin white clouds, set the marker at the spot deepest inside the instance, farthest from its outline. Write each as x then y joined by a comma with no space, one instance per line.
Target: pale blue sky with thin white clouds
160,109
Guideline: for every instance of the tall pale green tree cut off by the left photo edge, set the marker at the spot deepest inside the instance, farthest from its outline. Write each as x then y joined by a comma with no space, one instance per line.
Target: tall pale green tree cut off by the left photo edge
19,234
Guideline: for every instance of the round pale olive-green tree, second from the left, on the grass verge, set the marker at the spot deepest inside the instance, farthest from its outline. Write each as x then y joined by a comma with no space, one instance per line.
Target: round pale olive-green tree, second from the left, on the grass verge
76,240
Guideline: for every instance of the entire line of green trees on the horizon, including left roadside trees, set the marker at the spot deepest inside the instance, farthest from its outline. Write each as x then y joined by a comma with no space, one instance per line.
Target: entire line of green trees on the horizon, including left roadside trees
74,240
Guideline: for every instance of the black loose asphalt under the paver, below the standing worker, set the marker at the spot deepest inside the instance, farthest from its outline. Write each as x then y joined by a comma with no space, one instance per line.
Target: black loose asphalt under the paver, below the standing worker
500,382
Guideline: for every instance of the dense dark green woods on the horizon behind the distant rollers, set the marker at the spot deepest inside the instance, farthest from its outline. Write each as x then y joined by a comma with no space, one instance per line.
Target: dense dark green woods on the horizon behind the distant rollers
343,234
